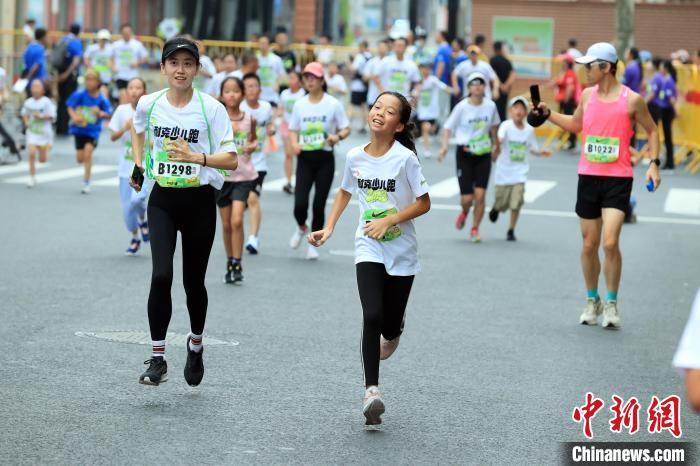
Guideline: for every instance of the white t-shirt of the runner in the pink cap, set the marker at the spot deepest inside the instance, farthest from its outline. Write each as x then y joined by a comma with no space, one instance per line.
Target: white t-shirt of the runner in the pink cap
314,122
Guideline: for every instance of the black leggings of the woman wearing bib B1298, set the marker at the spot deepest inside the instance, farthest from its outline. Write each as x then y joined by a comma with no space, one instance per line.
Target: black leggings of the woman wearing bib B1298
192,211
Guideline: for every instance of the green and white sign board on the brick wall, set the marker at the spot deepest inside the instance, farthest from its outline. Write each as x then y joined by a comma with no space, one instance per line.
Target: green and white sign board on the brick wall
526,37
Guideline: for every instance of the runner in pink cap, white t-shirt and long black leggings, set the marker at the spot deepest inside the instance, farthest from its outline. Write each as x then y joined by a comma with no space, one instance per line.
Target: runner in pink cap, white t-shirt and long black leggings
318,123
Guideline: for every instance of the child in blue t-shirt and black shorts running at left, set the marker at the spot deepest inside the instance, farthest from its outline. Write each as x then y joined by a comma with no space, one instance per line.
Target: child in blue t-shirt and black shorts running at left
87,108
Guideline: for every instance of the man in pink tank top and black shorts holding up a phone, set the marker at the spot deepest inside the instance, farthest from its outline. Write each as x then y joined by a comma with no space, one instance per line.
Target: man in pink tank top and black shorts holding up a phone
606,116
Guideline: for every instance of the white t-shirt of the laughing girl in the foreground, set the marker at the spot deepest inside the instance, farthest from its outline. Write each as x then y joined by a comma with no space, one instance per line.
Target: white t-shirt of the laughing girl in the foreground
386,185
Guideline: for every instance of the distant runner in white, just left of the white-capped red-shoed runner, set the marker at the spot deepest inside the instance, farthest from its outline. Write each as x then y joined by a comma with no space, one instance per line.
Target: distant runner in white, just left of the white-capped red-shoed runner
428,107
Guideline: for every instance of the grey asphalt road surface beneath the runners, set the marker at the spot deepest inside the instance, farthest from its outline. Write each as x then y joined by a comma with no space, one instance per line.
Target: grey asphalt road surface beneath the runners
491,365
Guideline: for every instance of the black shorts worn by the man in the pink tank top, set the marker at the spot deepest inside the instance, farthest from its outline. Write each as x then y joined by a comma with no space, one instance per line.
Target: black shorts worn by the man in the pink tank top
596,193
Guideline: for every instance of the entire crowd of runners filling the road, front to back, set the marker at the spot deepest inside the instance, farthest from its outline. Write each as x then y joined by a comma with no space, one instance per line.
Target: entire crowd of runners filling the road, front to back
203,141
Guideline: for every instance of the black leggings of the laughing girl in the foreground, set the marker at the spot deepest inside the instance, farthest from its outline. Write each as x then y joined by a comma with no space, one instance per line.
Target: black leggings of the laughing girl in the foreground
384,298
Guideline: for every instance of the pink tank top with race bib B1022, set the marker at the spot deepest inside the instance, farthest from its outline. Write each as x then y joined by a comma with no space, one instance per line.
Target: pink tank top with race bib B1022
607,131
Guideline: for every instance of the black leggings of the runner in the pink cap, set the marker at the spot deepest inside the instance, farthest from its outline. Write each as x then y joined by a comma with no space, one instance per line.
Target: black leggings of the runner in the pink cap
313,167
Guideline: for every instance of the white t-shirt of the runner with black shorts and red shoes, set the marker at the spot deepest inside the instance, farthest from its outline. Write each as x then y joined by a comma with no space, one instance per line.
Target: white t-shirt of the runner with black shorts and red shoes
471,124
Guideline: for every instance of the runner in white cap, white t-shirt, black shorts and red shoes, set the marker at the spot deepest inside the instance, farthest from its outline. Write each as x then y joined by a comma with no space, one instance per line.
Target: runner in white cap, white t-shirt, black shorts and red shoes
475,122
